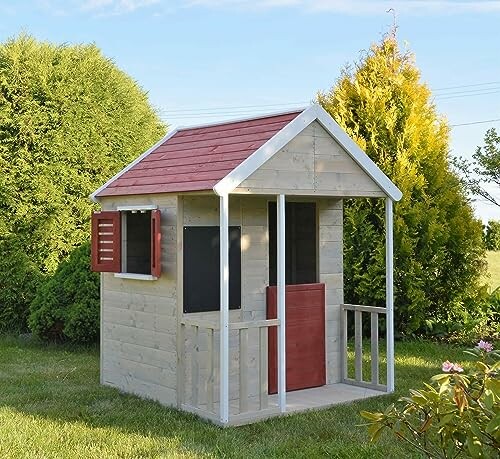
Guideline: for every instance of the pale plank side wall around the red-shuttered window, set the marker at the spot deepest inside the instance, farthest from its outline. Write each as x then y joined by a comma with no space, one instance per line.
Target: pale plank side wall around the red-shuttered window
138,323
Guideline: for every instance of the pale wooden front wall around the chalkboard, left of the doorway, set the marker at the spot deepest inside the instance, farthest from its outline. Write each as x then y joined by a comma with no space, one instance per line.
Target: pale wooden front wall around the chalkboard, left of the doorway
251,214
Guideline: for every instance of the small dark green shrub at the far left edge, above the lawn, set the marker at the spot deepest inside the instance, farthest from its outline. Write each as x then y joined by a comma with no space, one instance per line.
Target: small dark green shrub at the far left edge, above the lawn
18,283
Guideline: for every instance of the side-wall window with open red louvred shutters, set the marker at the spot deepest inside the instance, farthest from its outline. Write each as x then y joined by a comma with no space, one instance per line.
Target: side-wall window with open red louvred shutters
127,241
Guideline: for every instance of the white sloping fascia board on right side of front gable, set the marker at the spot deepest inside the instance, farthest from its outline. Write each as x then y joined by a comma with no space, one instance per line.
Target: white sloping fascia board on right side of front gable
364,161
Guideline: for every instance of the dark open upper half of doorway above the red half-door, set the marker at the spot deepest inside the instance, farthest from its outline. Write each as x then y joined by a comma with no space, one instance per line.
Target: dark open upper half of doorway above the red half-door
300,243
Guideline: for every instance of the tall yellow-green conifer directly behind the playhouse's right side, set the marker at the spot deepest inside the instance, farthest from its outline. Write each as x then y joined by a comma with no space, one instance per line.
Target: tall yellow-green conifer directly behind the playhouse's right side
439,255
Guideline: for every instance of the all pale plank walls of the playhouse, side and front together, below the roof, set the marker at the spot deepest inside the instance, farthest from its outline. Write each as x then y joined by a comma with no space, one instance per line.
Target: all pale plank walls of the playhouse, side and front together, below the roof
140,318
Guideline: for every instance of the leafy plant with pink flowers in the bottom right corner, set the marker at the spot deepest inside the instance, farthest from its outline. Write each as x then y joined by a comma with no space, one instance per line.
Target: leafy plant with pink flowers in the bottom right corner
457,416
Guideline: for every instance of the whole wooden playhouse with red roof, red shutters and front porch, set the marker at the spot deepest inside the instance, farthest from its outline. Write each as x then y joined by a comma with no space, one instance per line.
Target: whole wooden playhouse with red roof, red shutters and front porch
220,250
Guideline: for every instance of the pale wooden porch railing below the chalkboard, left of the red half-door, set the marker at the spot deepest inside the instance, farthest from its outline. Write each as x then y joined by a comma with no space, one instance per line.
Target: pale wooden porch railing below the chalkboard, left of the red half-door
199,368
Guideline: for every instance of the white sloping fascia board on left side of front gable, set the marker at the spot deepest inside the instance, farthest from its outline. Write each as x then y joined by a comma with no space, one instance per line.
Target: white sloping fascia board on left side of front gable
265,152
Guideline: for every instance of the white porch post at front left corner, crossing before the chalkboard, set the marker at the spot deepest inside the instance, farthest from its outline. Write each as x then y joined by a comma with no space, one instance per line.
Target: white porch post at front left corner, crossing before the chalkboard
224,309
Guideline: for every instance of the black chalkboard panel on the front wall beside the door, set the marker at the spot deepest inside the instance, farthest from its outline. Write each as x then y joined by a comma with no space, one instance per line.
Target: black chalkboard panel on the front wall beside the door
202,268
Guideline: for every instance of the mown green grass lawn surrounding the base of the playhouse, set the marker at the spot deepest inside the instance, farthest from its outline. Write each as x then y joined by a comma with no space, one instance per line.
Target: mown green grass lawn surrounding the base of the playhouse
52,406
